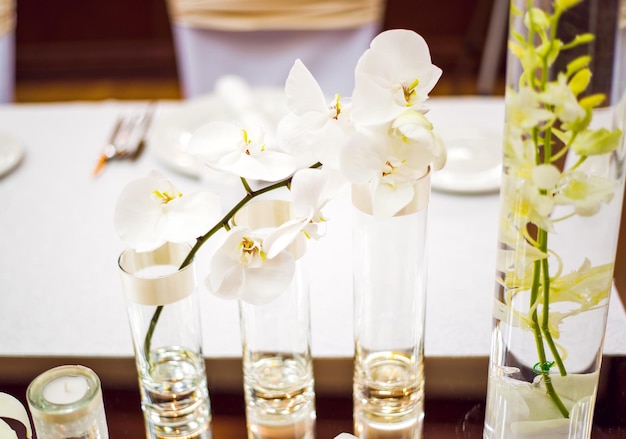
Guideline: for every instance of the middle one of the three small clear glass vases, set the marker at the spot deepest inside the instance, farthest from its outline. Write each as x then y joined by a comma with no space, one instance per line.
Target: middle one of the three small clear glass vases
276,347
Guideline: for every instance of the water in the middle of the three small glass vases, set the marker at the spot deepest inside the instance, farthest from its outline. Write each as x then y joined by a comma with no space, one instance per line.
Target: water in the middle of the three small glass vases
280,398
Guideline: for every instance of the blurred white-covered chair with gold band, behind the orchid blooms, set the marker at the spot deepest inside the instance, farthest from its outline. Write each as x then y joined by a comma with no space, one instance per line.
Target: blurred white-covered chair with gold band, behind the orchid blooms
259,40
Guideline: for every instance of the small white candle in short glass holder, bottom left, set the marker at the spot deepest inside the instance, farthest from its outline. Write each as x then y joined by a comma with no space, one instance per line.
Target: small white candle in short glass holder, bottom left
66,402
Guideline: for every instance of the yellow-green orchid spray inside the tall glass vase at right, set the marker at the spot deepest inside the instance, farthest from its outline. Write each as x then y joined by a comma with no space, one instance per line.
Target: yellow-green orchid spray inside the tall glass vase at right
549,136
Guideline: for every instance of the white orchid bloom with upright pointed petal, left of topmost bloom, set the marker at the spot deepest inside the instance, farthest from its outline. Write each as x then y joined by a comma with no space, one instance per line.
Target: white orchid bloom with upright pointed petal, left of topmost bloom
314,130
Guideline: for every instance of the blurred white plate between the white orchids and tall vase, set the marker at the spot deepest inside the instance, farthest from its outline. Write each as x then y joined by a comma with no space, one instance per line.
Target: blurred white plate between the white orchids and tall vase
474,164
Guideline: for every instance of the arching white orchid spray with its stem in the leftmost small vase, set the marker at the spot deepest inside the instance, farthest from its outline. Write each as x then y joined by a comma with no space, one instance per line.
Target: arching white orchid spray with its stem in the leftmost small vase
381,140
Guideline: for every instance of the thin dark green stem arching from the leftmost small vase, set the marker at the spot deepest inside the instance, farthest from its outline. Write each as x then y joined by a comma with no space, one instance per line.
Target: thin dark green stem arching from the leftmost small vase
223,223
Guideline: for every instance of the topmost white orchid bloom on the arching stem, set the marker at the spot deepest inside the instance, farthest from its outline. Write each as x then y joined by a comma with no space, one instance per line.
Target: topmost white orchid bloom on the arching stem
393,75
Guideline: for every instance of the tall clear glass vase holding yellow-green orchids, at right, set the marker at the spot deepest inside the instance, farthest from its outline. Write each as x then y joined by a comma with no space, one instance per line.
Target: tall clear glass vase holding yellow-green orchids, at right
561,202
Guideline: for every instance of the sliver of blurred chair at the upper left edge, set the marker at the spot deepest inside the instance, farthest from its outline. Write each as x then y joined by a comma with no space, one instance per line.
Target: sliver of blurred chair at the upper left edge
7,50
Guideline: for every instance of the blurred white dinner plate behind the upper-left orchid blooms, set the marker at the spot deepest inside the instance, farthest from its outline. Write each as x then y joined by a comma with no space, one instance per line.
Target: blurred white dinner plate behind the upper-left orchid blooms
171,132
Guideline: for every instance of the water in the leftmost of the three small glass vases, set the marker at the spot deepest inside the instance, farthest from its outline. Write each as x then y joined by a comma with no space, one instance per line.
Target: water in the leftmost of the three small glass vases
175,395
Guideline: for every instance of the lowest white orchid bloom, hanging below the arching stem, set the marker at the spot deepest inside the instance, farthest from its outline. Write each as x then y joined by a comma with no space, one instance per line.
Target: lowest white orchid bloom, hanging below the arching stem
241,269
